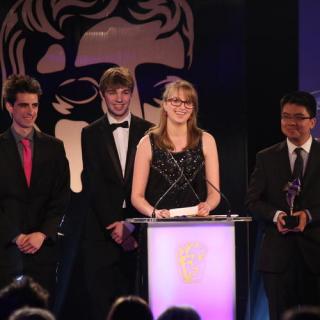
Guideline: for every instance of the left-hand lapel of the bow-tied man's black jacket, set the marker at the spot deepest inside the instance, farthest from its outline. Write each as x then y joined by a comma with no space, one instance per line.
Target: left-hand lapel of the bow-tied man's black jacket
110,146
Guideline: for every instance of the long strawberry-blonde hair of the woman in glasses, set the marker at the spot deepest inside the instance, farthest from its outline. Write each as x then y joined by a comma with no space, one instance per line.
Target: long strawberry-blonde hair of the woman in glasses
194,133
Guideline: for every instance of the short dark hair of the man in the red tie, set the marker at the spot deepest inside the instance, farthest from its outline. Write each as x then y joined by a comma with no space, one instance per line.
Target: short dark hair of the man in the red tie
19,83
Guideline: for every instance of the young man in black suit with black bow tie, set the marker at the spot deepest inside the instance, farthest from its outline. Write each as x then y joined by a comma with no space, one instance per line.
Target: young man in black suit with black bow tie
108,148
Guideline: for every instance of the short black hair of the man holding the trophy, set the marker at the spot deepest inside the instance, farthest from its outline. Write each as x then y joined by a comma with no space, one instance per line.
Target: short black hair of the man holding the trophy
301,98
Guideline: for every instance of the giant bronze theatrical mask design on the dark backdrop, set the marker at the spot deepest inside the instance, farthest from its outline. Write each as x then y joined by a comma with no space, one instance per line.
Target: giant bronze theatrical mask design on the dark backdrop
68,44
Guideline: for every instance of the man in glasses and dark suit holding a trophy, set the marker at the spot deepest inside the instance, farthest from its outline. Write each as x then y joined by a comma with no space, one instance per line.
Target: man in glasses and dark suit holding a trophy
290,255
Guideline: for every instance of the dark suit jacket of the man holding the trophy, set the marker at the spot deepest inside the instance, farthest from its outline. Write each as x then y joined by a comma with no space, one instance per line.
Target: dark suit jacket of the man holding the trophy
266,195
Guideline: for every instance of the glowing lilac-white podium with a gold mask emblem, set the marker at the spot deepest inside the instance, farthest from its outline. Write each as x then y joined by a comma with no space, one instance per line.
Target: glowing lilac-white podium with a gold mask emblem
190,262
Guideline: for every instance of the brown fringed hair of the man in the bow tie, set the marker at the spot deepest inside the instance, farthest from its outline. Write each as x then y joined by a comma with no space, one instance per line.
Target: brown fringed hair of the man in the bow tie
116,77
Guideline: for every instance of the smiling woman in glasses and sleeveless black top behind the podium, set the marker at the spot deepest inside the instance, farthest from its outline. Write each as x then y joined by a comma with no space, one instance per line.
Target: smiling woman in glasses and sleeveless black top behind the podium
176,163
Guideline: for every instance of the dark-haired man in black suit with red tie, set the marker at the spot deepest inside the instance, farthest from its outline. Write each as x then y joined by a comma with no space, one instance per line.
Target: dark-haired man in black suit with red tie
34,189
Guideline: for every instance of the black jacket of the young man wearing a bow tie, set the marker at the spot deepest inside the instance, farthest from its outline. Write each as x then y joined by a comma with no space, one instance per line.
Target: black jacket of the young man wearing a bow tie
102,178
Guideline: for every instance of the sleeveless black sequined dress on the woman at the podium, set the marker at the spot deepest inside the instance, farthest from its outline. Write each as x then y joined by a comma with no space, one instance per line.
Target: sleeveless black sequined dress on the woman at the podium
166,170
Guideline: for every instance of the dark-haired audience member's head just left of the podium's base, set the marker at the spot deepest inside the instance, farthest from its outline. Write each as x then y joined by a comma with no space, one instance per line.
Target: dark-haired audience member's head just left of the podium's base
130,307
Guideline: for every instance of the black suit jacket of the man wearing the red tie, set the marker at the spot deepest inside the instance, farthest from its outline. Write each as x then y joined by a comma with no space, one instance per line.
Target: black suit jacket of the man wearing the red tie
38,208
